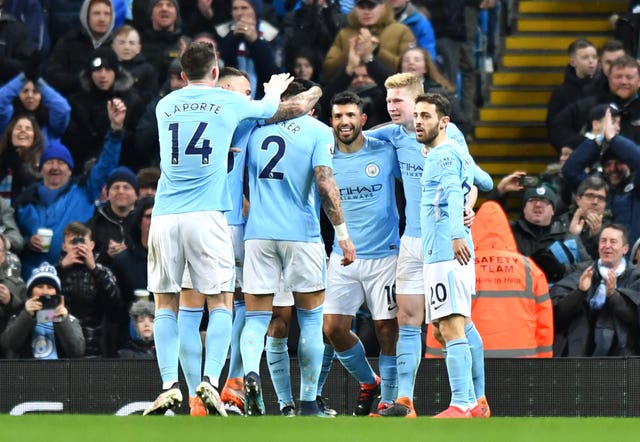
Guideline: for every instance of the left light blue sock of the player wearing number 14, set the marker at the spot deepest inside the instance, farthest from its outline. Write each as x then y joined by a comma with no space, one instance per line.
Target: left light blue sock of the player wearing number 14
165,336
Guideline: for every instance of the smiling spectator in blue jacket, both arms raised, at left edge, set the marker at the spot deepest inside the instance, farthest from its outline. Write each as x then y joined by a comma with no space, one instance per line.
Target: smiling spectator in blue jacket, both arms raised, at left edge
34,96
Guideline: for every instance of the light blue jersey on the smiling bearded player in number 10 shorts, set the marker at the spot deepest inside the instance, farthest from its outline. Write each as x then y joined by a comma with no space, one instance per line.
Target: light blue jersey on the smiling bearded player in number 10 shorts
366,179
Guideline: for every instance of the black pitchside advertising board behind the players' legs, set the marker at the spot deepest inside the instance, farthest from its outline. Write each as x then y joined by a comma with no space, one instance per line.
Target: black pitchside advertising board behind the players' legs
514,387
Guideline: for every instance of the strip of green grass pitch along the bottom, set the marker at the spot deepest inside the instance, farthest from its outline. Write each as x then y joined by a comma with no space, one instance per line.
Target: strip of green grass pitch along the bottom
98,428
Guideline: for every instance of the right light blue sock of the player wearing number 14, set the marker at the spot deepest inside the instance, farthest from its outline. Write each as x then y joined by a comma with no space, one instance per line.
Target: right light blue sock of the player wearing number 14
217,343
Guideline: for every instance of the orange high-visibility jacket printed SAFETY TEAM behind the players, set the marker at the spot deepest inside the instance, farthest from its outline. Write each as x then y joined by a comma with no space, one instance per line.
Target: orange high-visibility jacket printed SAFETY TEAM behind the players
512,309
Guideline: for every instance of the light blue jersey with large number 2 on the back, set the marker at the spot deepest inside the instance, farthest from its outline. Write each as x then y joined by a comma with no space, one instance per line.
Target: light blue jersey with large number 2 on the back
281,157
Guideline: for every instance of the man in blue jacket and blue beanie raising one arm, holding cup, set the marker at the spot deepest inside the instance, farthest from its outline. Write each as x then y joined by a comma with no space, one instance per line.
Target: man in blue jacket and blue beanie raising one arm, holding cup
58,200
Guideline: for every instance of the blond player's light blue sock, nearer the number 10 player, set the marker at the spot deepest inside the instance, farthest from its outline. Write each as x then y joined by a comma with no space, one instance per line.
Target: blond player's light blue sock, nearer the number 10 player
408,350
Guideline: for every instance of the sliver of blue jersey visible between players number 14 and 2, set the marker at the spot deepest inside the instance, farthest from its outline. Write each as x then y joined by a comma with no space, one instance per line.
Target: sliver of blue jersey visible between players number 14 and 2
235,167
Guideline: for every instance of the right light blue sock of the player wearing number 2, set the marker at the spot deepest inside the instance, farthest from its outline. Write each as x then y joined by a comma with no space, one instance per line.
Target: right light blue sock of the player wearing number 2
310,350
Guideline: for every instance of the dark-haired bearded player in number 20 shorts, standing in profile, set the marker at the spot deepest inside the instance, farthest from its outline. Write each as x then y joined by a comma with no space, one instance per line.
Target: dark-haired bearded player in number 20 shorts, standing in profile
447,247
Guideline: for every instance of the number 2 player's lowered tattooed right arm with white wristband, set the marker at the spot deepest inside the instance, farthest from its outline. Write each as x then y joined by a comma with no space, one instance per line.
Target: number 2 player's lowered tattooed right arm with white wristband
330,196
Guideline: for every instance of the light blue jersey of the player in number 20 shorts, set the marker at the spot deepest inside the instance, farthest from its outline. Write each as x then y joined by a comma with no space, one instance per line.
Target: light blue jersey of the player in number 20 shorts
446,182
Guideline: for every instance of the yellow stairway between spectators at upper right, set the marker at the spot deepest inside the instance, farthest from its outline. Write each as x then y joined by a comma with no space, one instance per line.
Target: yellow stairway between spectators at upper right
511,132
